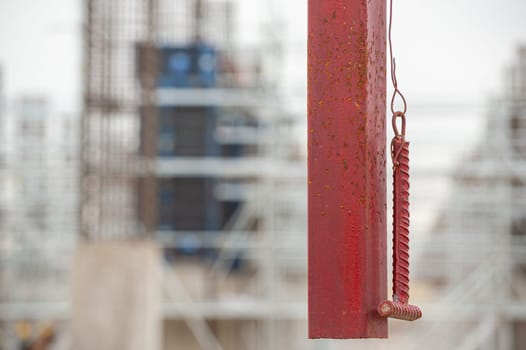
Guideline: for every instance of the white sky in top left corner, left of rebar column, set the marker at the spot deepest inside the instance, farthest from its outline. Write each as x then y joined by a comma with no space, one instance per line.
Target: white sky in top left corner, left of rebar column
40,49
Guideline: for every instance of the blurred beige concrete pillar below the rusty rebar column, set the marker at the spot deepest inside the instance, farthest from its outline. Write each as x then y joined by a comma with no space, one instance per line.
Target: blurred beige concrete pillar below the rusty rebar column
117,297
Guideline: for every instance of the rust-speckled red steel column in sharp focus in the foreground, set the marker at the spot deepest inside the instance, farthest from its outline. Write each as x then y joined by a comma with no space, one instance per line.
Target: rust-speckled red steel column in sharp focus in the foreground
347,168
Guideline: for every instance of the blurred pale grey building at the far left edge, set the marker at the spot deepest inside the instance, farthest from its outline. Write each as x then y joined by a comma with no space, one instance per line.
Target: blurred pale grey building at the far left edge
39,211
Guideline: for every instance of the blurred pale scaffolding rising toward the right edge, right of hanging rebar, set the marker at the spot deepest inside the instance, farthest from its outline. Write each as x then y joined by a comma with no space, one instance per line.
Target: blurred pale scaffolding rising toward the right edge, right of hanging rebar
472,263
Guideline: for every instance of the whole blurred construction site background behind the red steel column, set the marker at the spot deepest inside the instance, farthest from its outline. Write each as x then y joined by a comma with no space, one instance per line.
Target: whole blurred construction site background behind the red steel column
153,174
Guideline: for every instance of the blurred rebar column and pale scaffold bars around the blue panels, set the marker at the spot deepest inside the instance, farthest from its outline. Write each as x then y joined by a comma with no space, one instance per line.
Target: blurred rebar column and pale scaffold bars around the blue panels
112,170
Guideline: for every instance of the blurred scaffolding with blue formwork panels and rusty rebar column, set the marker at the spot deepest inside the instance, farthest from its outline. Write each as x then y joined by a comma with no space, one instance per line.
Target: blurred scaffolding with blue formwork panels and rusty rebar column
185,140
